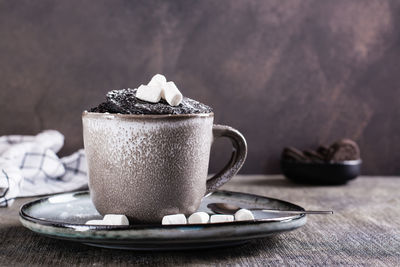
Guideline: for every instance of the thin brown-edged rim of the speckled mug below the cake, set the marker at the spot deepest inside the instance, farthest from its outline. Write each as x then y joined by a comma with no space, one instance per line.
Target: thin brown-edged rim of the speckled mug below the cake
145,116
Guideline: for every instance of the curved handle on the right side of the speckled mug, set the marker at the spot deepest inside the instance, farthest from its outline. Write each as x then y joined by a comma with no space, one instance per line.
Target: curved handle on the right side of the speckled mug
238,157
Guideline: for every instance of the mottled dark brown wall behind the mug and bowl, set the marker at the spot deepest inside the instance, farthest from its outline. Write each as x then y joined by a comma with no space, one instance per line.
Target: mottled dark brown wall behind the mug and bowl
293,72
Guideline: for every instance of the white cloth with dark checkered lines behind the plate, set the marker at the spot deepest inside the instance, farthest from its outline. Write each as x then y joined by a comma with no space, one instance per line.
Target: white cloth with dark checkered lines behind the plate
29,166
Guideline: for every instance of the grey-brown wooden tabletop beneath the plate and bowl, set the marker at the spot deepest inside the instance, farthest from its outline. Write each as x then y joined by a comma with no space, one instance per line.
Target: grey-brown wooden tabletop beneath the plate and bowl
365,230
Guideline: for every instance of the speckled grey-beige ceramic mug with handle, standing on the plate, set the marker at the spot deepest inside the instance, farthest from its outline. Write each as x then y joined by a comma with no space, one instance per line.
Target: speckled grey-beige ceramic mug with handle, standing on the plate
148,166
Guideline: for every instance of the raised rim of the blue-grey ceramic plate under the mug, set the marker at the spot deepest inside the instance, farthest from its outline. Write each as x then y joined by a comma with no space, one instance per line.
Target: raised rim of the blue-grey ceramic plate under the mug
163,234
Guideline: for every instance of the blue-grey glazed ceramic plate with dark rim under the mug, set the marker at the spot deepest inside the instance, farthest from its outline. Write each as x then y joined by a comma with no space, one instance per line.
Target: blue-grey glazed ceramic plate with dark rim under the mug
63,216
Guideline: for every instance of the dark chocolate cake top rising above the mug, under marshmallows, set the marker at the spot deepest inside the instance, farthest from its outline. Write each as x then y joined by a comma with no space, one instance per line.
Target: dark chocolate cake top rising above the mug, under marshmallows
124,101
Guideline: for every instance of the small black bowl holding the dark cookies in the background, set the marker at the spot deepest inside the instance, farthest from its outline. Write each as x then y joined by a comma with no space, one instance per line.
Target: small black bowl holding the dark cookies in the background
334,173
